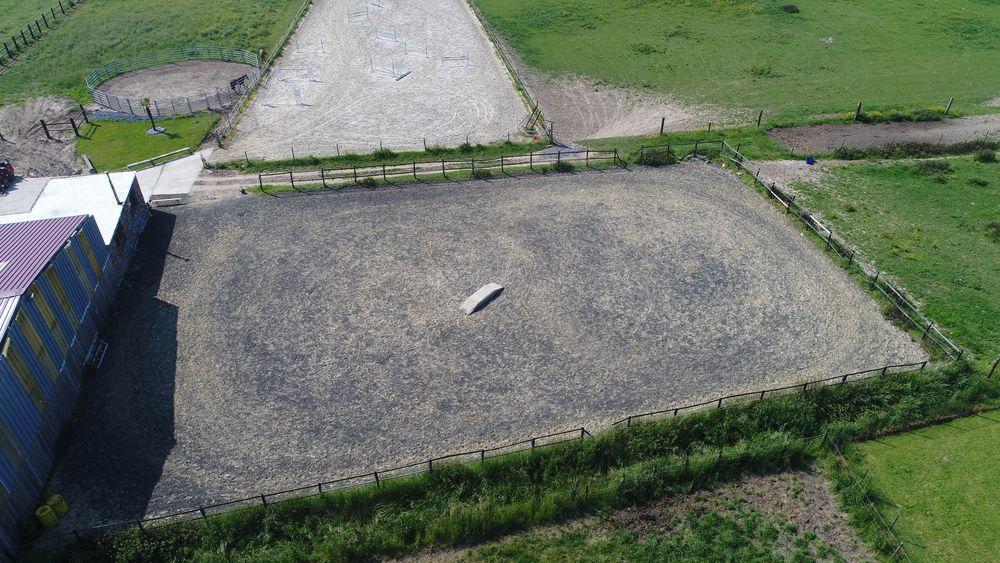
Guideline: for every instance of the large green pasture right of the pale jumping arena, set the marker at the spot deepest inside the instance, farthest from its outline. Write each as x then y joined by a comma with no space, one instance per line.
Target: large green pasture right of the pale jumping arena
752,54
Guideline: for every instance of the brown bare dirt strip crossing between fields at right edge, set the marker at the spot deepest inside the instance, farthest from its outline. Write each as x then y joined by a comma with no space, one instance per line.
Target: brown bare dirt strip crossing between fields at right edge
827,137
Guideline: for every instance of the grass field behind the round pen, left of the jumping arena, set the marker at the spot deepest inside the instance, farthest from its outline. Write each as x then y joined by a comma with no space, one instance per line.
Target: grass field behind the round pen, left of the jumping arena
103,30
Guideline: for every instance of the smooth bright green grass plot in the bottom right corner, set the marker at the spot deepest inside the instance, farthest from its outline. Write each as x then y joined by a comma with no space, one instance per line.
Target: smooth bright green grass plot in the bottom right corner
947,485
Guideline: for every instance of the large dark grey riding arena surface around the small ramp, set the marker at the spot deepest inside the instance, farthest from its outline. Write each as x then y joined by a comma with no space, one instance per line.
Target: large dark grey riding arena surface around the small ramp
270,342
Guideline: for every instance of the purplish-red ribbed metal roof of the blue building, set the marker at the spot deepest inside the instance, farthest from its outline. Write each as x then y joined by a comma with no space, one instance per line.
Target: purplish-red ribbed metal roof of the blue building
25,249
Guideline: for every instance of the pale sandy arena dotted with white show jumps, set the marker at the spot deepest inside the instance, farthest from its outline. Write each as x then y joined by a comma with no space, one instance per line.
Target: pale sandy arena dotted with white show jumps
394,72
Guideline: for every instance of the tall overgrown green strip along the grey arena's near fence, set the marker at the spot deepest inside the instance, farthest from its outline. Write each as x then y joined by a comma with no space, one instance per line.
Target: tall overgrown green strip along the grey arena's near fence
458,505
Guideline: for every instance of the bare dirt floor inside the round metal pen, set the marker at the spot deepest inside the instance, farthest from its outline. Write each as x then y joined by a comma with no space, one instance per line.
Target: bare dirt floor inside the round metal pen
186,79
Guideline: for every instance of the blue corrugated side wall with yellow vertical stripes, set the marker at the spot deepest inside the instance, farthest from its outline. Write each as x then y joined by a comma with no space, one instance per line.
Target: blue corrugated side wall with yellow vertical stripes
76,308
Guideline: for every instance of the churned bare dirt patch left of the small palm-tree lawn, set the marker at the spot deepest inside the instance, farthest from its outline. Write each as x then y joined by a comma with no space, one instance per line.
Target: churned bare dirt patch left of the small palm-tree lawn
31,153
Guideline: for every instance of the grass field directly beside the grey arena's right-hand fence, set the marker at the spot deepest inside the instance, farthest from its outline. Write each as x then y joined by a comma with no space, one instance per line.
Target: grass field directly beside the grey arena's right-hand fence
934,228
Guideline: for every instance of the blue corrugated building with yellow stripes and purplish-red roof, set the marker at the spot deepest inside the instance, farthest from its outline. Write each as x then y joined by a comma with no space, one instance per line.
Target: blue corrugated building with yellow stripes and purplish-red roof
58,279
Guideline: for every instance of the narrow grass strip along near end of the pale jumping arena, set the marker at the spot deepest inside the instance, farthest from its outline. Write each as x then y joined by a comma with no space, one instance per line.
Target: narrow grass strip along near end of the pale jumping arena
385,156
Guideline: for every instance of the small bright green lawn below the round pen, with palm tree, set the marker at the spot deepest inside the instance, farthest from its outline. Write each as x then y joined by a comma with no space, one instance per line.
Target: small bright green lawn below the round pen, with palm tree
112,145
